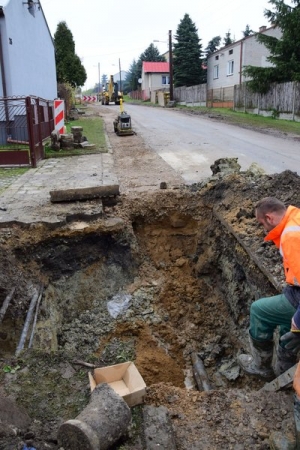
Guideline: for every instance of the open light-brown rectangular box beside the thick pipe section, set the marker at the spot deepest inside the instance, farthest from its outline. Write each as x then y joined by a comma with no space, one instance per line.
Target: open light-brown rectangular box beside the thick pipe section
124,378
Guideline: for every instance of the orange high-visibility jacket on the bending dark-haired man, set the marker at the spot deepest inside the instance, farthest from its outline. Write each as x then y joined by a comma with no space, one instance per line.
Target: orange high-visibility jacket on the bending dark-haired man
286,236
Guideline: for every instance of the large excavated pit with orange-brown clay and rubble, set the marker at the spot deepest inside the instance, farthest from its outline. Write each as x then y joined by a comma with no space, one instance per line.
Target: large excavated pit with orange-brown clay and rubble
179,270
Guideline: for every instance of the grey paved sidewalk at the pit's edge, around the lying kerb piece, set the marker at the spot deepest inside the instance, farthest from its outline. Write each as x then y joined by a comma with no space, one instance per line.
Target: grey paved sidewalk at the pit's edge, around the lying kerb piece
27,199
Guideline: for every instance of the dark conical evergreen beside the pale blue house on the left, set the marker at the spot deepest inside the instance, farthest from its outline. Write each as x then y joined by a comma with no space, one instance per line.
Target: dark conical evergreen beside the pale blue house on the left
69,68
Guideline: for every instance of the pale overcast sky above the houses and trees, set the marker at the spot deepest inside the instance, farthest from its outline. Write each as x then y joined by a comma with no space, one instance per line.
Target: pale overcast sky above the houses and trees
108,32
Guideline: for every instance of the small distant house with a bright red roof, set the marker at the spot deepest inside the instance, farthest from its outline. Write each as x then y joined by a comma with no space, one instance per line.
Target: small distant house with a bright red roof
155,75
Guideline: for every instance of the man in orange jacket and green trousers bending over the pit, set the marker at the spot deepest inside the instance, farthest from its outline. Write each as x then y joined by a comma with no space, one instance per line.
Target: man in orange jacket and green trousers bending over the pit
282,226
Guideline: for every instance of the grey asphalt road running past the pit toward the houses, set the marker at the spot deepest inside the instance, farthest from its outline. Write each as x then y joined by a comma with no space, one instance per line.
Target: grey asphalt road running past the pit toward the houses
190,144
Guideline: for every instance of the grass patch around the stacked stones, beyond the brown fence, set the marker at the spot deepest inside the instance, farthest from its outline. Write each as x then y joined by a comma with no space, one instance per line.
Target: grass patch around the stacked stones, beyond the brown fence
93,130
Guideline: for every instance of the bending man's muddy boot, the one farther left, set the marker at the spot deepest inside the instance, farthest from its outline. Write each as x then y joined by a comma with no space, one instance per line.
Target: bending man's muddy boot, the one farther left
259,363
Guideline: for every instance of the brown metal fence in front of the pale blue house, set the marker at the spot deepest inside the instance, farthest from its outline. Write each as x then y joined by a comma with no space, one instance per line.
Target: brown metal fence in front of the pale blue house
24,123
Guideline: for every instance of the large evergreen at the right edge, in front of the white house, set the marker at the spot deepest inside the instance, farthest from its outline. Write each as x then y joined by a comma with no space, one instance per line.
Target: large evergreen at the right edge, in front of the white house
284,52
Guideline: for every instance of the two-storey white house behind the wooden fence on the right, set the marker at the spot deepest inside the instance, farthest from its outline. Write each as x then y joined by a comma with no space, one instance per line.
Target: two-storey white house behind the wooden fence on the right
225,66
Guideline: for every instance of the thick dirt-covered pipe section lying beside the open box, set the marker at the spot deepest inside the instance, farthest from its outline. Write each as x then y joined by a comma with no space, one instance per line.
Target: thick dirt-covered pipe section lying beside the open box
101,424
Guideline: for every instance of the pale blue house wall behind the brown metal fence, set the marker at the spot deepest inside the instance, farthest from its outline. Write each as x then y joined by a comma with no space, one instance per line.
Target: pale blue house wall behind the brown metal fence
27,57
